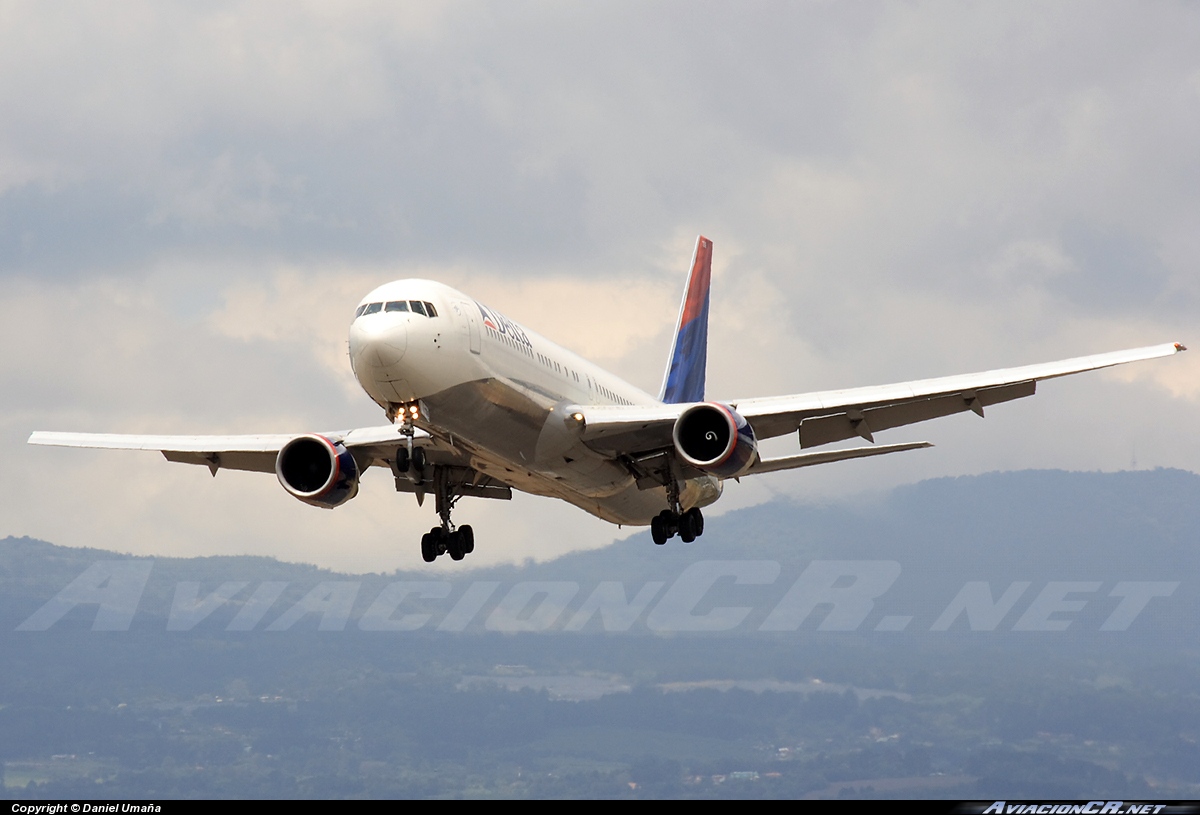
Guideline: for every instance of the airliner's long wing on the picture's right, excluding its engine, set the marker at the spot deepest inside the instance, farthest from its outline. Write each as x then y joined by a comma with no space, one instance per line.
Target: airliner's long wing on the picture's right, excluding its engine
833,416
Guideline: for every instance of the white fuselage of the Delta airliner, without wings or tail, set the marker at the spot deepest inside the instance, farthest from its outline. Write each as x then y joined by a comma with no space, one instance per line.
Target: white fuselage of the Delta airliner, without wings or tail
502,394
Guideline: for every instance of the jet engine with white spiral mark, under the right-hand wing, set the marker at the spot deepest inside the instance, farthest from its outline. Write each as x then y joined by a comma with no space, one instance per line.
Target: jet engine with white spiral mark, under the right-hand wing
716,439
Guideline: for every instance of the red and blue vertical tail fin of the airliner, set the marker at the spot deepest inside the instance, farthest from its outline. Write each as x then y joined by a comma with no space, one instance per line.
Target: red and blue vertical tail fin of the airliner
685,379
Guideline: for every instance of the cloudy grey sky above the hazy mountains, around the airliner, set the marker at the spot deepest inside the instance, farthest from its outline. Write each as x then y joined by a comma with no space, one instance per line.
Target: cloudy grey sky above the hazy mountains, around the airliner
194,199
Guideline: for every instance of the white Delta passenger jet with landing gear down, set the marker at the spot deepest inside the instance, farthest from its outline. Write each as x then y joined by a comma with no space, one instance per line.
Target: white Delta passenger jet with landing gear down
479,406
